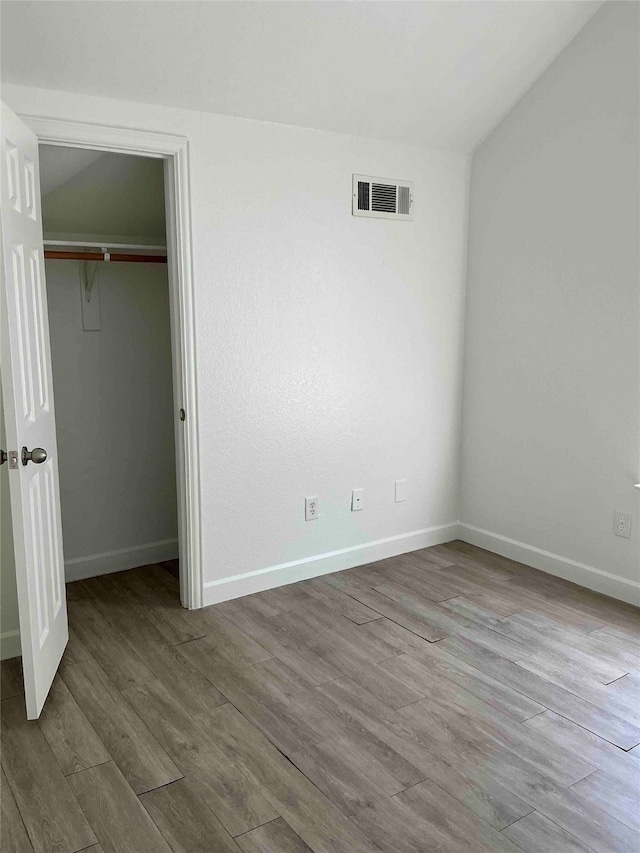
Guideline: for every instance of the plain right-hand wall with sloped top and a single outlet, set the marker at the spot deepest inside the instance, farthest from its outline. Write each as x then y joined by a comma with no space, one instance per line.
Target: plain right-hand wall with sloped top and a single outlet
551,401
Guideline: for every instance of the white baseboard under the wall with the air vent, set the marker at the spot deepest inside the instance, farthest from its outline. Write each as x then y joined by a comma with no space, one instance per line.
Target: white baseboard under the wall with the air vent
322,564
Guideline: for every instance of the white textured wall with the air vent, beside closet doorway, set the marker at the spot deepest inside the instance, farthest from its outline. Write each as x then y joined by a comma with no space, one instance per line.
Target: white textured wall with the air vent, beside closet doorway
328,346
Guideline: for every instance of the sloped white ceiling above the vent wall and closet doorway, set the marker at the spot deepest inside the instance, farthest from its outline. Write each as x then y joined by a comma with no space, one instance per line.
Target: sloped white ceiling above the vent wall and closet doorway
435,73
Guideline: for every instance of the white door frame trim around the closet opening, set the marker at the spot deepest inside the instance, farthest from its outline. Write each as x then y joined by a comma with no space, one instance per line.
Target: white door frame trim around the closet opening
174,150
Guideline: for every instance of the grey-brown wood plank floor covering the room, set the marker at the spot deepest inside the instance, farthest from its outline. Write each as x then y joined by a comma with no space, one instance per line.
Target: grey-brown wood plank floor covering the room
446,700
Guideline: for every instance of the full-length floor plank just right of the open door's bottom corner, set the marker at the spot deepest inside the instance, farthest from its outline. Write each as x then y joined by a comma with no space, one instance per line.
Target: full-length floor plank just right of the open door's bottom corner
129,742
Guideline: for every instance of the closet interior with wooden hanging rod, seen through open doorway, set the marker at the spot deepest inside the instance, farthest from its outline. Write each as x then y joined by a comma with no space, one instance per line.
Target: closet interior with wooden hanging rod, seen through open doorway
110,330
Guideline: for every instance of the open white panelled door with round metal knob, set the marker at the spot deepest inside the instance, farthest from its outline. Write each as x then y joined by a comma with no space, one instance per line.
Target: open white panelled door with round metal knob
28,402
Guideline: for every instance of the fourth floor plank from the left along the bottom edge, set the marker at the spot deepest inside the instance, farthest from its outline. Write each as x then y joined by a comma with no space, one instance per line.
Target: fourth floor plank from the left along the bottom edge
185,821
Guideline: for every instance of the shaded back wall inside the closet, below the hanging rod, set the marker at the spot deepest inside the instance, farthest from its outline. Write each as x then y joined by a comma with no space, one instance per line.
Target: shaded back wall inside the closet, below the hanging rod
114,418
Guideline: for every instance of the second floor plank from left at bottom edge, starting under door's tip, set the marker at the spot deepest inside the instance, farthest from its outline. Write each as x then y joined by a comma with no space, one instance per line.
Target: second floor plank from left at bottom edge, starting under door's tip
52,816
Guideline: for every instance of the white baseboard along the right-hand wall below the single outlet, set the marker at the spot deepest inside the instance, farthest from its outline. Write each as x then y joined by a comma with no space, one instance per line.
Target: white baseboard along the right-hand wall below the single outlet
562,567
